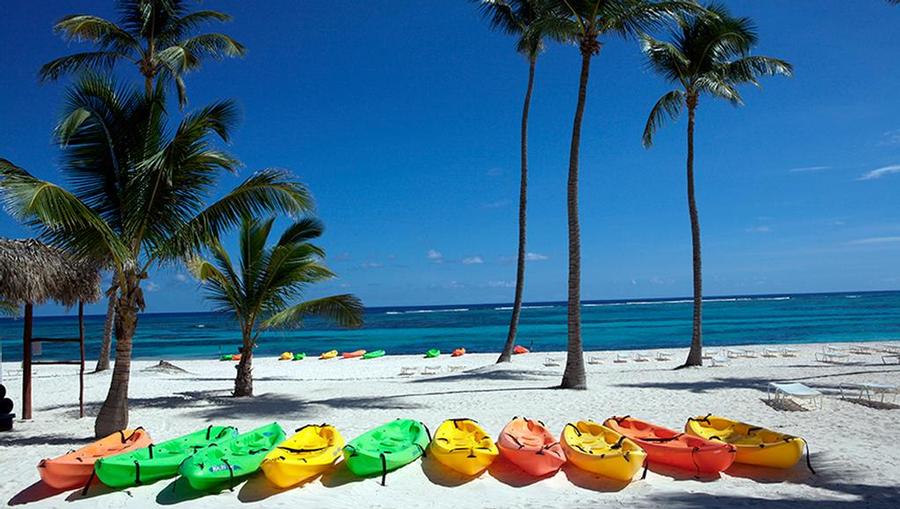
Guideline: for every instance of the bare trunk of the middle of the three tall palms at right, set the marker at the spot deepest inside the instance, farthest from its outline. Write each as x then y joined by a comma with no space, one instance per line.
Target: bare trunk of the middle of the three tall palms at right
573,376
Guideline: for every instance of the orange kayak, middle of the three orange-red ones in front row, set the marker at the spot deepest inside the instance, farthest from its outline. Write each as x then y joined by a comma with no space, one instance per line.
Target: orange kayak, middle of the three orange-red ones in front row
529,445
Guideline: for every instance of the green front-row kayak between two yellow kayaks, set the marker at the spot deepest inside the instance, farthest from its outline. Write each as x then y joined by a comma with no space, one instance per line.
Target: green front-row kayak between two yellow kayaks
387,447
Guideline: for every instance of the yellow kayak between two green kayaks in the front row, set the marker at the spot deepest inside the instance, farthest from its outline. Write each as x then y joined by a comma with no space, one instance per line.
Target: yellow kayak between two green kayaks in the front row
309,452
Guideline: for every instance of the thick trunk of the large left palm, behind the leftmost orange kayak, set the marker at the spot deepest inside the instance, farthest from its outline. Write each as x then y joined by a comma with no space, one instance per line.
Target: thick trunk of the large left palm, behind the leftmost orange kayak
113,415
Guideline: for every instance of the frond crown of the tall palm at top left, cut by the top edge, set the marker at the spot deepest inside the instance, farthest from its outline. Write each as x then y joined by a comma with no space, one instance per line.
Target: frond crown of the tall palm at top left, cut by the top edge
154,35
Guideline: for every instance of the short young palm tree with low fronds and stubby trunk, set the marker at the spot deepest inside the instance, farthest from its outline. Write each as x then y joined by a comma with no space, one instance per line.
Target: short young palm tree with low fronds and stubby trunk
259,291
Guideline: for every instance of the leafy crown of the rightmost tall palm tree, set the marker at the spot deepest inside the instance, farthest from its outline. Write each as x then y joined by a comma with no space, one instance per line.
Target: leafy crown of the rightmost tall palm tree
708,53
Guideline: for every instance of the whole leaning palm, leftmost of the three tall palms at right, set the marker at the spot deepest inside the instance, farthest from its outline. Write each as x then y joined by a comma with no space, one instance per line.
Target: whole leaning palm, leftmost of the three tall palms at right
525,19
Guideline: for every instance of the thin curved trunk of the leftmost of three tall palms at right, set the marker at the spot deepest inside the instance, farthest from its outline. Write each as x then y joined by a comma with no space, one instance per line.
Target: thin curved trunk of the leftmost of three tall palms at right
506,355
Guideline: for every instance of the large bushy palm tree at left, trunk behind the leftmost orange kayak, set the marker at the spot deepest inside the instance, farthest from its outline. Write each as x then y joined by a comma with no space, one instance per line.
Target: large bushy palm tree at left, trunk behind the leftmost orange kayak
138,197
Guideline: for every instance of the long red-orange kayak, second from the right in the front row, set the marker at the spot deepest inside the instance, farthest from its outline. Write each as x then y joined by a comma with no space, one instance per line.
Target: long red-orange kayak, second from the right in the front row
668,447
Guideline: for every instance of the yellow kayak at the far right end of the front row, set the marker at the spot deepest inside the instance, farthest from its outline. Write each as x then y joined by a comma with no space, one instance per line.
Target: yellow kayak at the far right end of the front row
755,445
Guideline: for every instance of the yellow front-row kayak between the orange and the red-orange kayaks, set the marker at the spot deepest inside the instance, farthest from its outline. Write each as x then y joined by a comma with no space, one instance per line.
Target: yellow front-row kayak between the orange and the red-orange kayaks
597,449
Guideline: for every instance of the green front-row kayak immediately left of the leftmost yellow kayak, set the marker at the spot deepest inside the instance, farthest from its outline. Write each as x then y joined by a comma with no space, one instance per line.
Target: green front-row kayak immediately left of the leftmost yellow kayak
228,461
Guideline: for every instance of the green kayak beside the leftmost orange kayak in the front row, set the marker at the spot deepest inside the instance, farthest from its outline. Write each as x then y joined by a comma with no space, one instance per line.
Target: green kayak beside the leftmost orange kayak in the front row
159,461
